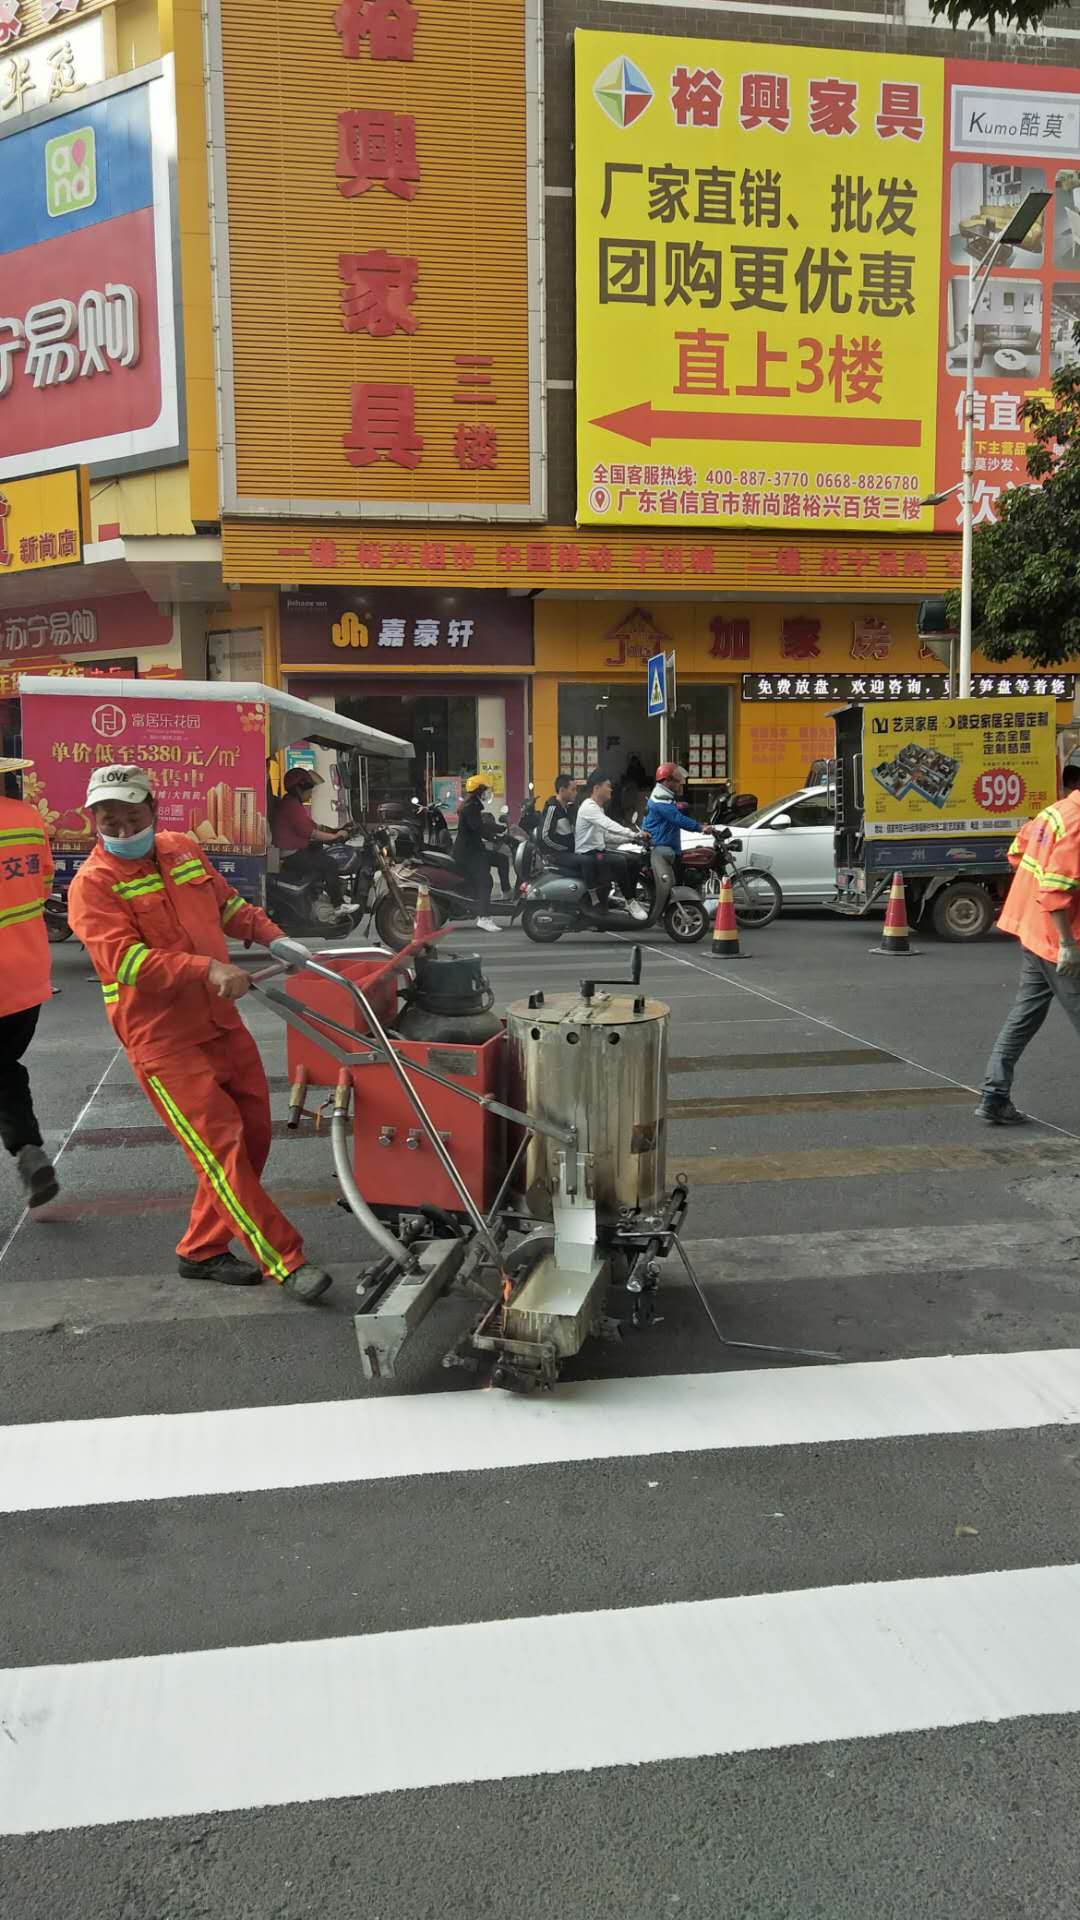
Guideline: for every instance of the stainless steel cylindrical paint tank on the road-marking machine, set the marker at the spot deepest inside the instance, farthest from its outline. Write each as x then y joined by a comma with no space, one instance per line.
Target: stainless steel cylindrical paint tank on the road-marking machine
602,1068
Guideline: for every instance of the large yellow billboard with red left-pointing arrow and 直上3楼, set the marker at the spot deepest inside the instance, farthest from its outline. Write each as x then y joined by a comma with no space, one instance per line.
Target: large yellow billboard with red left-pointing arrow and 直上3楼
758,270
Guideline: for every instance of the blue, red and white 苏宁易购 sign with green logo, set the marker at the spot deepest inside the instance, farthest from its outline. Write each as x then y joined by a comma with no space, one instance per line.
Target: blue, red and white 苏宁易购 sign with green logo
87,287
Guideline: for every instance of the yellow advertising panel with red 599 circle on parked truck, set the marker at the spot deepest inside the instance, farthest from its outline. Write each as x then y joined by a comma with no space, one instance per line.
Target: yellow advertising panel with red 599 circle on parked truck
958,767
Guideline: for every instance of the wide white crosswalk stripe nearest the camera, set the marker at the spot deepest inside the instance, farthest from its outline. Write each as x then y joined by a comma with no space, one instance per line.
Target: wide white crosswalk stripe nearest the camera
258,1727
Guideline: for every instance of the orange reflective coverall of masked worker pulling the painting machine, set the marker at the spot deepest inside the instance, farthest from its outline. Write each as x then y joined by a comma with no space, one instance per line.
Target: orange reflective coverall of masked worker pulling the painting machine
153,928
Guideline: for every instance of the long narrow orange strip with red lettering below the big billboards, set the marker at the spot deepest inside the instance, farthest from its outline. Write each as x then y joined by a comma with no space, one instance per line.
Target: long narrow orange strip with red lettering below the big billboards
583,560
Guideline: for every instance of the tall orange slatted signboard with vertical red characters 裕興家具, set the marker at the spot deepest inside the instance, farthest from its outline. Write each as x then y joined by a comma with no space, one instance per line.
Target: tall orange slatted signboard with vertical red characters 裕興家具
383,189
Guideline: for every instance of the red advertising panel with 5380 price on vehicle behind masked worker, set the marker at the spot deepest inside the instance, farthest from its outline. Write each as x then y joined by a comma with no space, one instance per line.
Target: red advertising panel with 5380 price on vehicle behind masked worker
207,763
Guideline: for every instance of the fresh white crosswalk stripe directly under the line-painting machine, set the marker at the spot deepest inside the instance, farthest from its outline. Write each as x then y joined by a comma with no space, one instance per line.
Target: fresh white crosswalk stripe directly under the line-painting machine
164,1456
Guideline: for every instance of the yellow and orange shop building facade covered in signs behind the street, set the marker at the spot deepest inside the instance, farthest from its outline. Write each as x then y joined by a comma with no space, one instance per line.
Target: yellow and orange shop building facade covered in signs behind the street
493,368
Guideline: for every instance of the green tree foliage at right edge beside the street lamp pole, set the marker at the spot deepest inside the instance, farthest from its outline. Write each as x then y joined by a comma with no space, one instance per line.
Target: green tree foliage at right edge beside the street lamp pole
1027,567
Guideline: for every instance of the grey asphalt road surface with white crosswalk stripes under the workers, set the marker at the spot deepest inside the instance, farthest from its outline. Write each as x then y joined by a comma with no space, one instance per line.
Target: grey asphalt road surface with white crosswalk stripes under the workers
706,1633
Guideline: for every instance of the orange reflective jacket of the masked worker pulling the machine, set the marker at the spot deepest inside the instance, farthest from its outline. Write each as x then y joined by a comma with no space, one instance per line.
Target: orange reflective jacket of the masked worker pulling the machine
151,930
